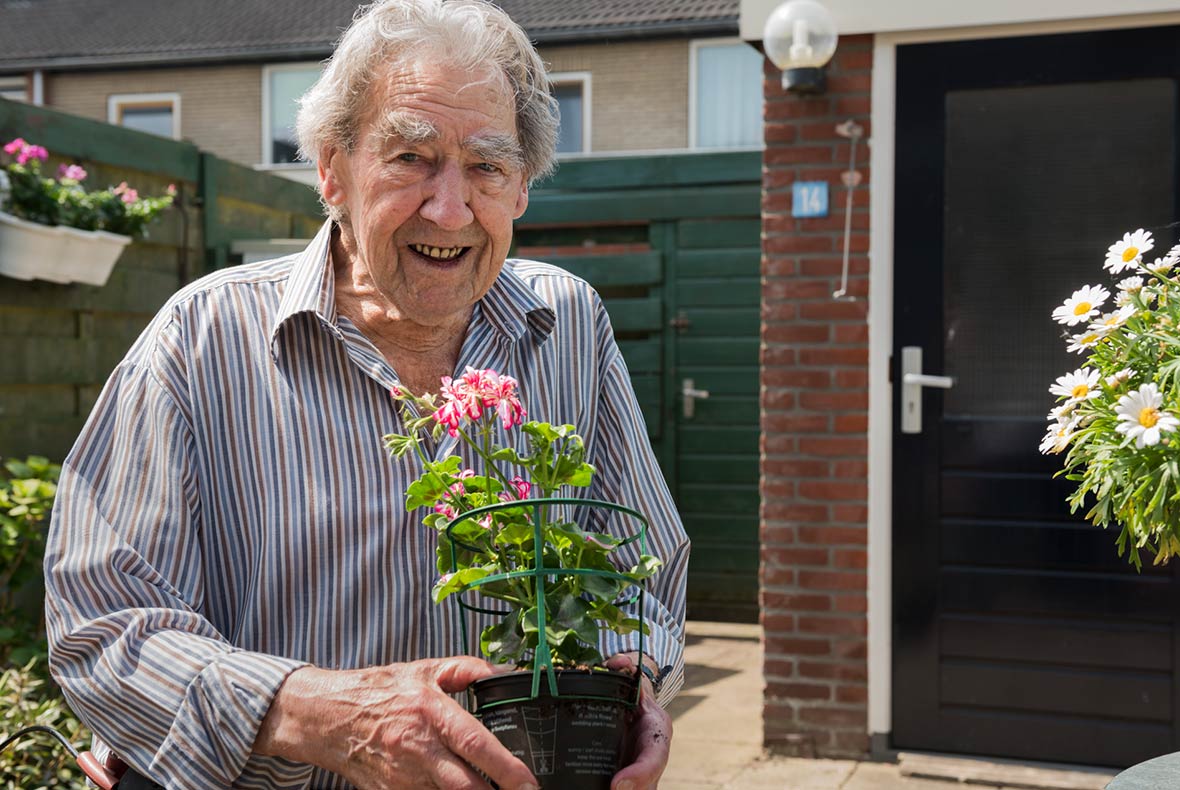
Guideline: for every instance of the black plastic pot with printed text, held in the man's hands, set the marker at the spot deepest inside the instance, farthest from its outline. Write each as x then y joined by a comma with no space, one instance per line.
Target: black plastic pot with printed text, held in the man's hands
575,741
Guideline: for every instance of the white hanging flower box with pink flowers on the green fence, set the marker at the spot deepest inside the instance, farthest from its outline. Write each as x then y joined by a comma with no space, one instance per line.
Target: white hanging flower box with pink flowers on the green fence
54,230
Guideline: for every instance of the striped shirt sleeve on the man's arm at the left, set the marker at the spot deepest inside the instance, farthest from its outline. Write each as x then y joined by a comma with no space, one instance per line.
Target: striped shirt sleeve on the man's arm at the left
129,645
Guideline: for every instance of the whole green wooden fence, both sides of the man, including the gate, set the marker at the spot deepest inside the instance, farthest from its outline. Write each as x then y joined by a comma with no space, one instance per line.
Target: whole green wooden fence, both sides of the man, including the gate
672,243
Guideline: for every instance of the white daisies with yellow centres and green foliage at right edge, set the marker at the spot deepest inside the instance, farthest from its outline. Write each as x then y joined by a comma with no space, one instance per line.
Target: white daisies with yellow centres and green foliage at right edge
1118,414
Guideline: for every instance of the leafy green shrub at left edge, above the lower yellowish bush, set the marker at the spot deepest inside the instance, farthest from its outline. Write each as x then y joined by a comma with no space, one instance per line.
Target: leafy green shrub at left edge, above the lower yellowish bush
27,500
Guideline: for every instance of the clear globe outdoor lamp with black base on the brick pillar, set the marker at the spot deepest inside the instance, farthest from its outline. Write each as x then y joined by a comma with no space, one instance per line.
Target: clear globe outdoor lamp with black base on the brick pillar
801,38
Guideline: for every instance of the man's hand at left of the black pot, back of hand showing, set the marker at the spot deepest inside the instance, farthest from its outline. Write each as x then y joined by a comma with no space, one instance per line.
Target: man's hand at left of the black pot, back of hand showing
390,727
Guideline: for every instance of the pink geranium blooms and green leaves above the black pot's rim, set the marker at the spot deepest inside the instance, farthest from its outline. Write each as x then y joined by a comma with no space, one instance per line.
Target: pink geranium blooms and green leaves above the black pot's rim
480,551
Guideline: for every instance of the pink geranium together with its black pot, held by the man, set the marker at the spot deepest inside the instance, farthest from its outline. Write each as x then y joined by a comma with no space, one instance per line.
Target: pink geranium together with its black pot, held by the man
506,536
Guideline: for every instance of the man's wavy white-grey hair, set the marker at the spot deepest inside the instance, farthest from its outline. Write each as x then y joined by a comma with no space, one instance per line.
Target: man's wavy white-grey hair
471,35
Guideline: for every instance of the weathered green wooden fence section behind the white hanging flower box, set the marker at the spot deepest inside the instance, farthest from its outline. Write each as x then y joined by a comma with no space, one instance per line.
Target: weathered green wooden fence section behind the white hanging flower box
61,343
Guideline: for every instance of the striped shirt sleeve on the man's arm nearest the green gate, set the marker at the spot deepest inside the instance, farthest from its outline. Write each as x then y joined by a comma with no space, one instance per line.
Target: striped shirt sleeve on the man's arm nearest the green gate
630,474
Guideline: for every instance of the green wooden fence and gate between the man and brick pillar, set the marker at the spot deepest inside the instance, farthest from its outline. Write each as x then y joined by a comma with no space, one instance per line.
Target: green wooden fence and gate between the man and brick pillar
673,246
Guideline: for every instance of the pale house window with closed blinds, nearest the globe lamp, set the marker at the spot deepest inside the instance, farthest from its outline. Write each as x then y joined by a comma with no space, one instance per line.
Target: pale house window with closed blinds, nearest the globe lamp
725,106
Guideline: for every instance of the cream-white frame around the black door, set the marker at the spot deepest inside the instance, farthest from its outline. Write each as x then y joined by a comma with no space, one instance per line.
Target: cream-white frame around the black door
881,329
